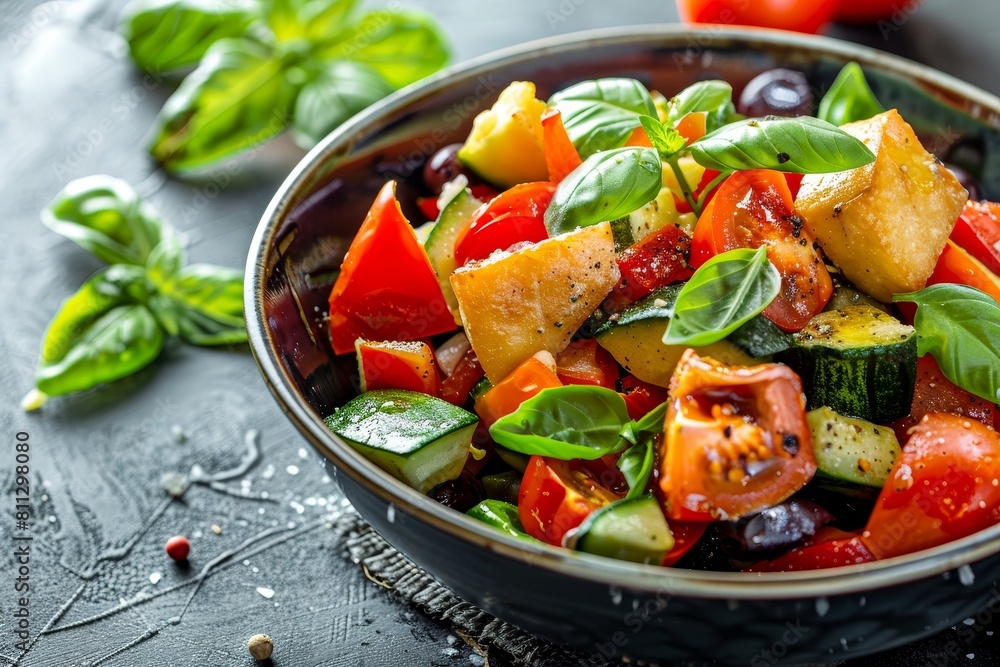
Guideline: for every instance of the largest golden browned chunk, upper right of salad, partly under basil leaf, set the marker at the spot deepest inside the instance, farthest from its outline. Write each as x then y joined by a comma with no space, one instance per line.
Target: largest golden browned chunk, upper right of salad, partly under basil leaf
884,224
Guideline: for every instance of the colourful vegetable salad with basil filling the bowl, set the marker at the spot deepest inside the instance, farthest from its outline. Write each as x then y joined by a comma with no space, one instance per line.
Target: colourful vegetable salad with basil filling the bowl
756,333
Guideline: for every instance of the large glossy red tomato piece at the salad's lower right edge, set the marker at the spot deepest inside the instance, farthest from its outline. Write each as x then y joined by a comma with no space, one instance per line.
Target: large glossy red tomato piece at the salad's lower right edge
942,487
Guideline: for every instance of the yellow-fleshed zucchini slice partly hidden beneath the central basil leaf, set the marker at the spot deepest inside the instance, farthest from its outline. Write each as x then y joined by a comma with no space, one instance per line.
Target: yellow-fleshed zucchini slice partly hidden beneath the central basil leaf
635,339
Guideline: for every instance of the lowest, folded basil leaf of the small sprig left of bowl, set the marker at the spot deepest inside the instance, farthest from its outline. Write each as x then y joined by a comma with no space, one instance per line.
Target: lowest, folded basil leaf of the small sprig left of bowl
101,333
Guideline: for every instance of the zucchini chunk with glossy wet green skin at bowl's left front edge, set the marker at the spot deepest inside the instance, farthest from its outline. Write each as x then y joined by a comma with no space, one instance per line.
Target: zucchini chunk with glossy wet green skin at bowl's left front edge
418,439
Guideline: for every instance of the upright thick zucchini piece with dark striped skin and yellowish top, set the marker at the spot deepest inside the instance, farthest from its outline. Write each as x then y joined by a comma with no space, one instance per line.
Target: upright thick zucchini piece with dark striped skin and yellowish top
858,361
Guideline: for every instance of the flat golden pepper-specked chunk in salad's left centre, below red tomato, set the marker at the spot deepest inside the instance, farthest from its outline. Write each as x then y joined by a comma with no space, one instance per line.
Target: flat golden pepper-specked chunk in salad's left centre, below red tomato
519,303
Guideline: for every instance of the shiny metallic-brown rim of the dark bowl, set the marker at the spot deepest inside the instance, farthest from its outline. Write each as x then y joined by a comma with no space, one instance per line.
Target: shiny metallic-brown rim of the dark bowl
632,576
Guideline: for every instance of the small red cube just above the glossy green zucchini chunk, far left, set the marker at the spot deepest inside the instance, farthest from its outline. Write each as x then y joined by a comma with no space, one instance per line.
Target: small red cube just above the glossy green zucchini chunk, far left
397,365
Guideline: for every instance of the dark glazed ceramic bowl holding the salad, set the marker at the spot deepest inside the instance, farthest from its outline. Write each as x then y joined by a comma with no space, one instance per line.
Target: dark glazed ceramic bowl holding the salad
615,608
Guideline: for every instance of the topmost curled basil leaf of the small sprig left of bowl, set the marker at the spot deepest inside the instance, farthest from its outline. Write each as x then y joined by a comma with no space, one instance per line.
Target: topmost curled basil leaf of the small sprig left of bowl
105,216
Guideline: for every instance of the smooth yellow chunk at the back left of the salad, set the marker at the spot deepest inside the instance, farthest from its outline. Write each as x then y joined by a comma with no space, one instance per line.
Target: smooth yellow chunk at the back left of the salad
505,145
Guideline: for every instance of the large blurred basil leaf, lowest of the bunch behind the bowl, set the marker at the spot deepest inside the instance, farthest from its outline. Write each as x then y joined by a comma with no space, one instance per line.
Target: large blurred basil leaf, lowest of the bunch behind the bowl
238,97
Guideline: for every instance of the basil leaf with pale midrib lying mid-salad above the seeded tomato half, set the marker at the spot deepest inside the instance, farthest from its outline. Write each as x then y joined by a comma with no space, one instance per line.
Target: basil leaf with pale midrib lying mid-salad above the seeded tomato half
725,292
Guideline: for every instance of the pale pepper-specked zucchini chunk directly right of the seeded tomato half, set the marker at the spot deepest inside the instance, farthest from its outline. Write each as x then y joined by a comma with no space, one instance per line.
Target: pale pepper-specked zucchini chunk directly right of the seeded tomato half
851,452
